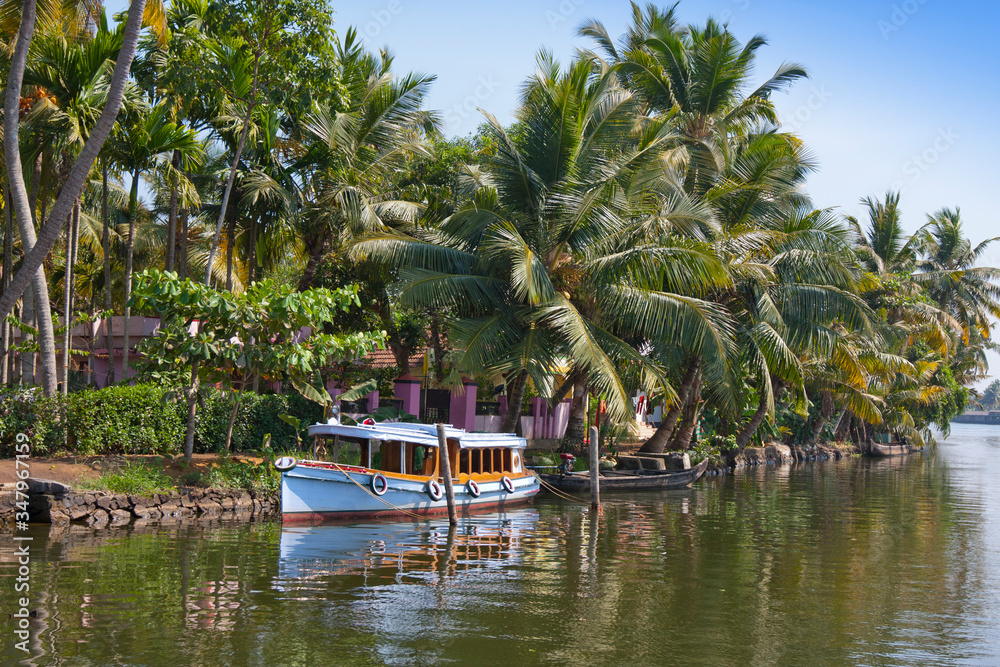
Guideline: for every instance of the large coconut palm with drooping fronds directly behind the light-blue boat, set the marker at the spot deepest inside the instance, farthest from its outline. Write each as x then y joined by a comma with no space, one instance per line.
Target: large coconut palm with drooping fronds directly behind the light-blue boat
544,266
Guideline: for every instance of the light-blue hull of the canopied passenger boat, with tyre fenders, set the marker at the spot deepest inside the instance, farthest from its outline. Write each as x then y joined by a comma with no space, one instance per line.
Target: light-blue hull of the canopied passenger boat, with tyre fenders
316,494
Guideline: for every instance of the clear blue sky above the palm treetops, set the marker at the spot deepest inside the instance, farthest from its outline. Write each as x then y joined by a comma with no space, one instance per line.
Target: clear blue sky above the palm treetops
899,94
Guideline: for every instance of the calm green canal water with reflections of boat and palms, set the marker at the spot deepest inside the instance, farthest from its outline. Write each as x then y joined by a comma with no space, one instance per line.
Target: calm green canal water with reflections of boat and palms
861,562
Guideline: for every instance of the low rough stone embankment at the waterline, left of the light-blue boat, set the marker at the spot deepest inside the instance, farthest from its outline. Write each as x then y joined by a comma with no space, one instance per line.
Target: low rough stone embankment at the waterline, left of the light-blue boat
58,504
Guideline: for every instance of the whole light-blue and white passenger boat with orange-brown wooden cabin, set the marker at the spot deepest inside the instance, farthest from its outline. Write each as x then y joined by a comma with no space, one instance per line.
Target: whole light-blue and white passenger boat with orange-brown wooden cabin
400,473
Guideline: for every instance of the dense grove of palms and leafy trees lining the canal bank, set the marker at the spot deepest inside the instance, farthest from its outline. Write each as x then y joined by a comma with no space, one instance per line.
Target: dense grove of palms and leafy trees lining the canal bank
642,226
